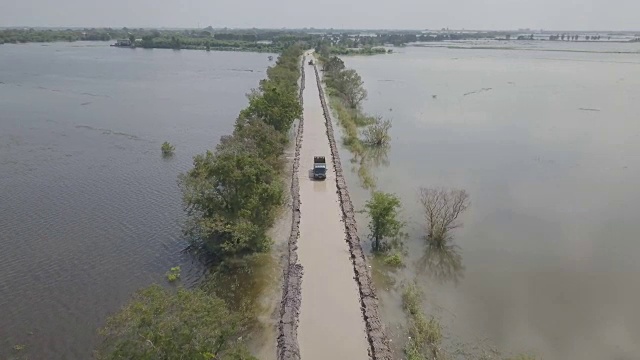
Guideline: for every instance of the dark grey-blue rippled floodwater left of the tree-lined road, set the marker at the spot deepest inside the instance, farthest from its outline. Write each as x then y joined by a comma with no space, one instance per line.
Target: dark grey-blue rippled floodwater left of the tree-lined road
89,209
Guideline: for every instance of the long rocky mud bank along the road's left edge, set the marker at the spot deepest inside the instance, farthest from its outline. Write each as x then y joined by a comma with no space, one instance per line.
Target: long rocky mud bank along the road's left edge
288,348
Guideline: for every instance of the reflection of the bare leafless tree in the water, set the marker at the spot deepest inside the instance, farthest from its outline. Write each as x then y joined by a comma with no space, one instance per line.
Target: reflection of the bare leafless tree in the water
442,262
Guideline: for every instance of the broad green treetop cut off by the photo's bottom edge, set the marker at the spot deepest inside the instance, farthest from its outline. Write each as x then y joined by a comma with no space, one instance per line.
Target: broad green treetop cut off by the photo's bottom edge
162,324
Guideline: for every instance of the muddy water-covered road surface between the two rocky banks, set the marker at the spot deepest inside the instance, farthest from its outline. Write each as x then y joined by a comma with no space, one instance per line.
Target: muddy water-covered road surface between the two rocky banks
330,323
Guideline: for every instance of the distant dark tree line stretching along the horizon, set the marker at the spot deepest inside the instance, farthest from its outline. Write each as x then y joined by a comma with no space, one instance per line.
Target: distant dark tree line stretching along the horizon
342,42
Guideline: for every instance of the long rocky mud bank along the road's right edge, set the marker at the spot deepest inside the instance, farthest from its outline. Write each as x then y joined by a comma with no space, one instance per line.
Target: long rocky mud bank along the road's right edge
378,341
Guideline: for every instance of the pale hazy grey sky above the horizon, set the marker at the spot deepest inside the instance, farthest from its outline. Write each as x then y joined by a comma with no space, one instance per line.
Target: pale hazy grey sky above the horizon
396,14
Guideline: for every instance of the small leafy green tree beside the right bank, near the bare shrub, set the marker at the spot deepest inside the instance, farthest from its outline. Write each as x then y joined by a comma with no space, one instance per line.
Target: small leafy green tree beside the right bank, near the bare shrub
383,211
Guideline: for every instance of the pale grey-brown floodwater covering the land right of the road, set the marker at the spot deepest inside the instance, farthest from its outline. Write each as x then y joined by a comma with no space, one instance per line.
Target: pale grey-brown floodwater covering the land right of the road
547,145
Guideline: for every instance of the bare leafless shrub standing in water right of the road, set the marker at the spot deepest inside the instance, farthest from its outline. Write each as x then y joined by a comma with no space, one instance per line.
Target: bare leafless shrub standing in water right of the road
442,208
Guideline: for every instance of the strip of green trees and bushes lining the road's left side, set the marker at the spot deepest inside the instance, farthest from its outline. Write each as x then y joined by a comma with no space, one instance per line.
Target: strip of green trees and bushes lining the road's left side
233,196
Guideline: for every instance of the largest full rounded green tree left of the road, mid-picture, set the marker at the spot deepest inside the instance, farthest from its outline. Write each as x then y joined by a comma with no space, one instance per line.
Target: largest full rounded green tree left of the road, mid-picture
230,198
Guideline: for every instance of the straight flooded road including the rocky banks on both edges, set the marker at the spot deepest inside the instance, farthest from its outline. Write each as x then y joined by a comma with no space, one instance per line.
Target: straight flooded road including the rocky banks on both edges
329,310
